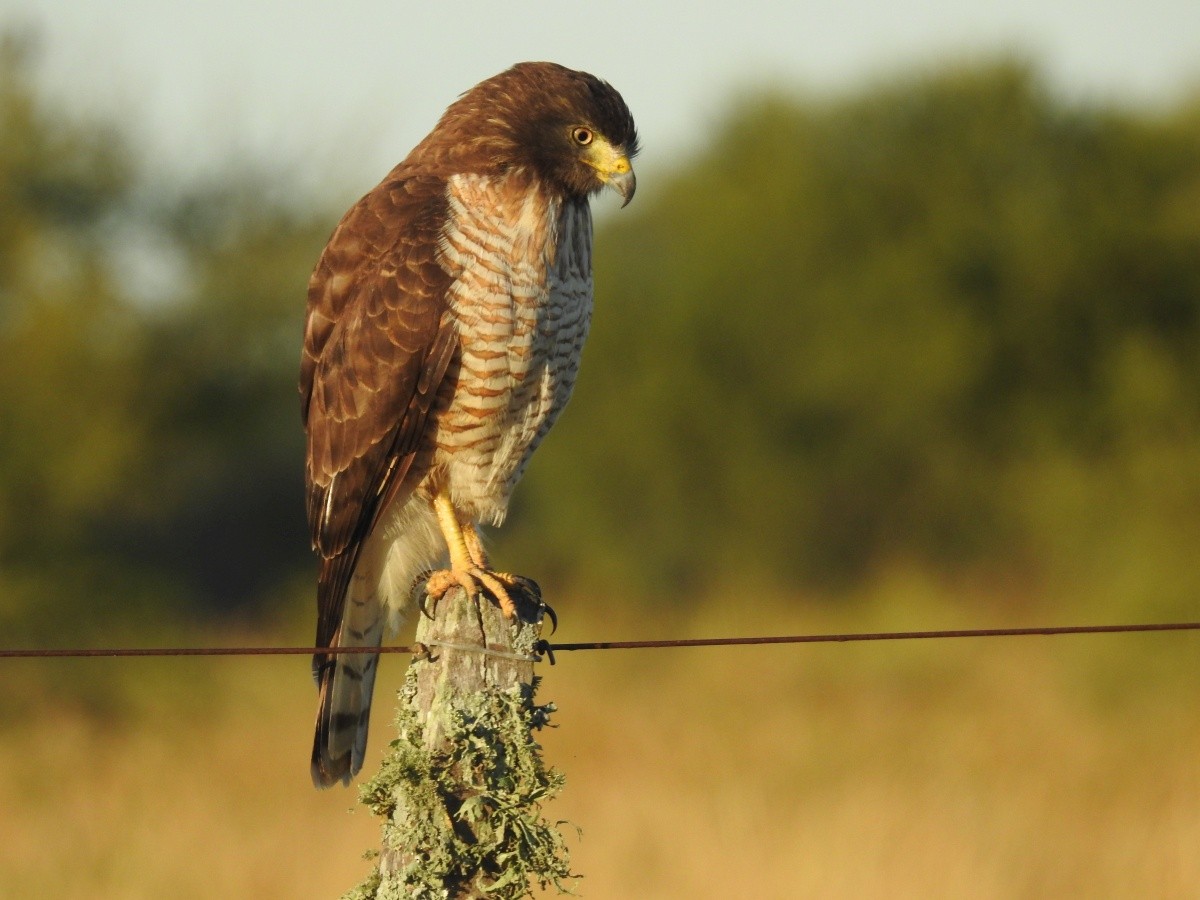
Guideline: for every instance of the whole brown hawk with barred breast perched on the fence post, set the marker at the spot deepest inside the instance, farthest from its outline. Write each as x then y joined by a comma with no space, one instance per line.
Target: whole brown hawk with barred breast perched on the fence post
442,341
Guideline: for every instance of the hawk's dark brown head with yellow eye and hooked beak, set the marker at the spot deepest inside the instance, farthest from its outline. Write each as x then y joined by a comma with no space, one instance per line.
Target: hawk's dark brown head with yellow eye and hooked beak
571,129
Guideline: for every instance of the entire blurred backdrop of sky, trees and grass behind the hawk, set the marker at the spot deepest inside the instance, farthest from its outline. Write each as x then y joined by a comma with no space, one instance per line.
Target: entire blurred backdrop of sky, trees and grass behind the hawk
903,331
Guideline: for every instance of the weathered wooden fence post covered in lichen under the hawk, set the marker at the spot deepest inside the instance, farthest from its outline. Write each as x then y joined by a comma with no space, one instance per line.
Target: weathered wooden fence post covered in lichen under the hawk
461,789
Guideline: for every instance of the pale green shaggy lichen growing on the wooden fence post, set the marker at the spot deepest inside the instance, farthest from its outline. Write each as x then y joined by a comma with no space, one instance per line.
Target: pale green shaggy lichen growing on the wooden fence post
467,820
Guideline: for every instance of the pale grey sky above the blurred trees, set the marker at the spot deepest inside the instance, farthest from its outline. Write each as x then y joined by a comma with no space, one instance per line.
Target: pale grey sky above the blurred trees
340,92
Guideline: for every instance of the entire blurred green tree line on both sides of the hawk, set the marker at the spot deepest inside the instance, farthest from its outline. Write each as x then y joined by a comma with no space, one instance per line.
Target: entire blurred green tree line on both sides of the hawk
952,322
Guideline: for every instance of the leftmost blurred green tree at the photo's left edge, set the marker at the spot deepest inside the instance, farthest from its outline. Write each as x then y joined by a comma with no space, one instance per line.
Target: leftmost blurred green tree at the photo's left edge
70,353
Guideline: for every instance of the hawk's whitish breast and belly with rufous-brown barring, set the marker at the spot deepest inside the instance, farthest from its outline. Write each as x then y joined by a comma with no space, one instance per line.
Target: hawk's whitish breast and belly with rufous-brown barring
521,302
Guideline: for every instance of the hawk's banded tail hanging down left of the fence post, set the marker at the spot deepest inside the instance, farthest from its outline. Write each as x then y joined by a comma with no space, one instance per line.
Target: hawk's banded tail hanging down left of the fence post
346,682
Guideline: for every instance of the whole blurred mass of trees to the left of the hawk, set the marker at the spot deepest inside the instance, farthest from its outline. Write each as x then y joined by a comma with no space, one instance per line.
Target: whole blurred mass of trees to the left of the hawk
151,452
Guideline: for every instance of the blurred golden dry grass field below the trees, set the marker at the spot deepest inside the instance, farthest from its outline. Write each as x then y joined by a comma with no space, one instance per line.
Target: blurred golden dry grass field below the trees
1005,769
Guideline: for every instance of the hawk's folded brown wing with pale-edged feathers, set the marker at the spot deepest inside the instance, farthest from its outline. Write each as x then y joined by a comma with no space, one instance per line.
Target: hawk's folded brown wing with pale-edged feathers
376,350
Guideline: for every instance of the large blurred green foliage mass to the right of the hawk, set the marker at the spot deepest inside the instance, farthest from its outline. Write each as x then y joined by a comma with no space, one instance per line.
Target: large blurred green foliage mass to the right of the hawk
893,327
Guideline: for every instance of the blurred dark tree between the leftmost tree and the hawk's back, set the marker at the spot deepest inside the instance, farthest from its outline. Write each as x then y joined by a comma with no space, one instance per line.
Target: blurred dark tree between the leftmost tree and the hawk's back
224,512
